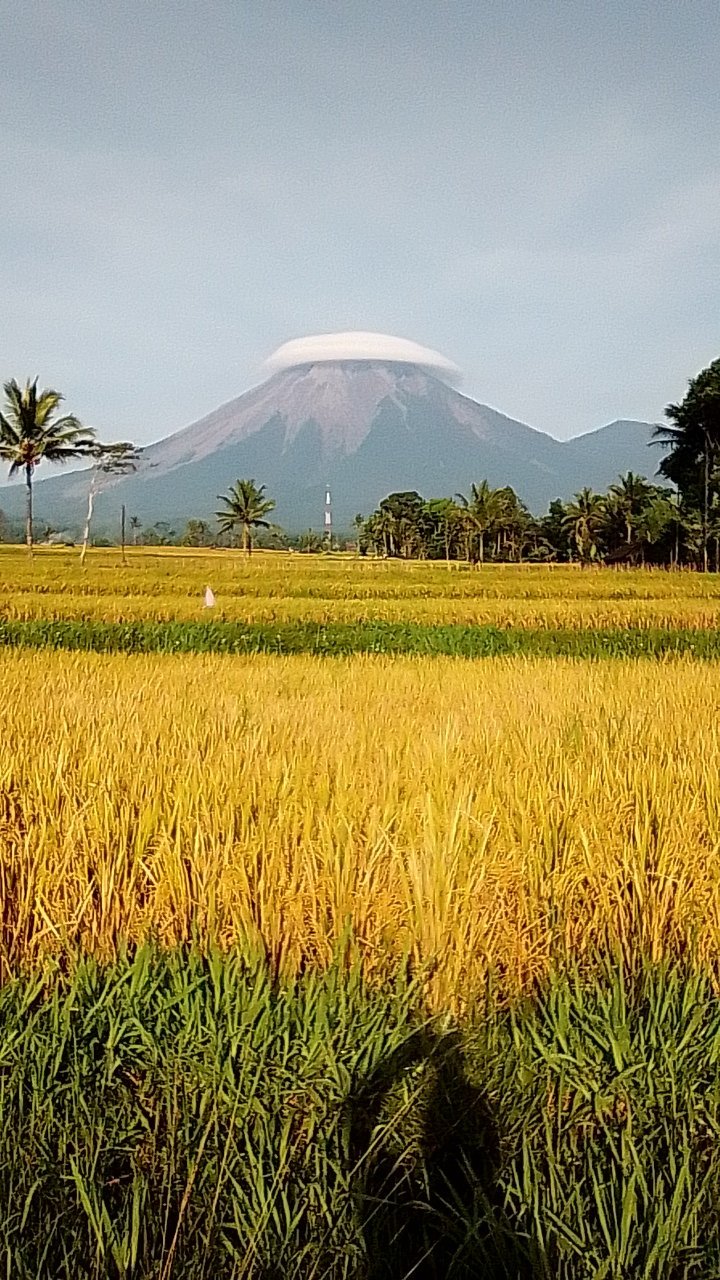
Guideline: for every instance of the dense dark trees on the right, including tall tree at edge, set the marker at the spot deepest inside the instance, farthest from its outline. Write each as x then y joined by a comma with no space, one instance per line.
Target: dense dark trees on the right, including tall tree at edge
634,523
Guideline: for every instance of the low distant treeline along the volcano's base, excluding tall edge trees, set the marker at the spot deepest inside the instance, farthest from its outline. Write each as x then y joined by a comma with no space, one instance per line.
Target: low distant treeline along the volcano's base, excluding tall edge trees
634,523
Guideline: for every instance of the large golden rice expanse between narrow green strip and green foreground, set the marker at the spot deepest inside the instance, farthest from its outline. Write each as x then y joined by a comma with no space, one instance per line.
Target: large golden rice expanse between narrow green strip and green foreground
477,816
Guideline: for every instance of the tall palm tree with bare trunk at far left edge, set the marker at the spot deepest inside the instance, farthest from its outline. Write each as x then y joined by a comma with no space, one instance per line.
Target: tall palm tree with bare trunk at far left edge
30,433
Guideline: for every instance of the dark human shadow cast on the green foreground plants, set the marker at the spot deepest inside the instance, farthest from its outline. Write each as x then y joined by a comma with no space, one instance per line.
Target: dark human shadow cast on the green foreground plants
426,1155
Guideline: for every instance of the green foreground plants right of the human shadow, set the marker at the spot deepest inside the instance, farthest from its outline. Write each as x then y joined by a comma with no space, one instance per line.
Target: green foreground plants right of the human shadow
616,1165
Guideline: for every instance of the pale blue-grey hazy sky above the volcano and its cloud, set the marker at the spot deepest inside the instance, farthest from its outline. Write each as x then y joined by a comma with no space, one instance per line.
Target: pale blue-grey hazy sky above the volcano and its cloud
530,188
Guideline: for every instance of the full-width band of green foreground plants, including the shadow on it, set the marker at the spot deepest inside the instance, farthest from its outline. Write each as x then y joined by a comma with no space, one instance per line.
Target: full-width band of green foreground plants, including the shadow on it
185,1117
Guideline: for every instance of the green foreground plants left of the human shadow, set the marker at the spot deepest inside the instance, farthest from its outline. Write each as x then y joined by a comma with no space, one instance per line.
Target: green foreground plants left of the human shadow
185,1117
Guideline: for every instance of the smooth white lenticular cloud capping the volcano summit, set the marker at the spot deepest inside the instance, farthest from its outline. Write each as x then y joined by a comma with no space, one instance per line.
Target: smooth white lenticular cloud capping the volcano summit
361,346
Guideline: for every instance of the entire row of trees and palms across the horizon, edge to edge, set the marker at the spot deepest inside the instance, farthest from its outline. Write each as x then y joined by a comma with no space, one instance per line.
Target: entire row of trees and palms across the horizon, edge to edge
635,523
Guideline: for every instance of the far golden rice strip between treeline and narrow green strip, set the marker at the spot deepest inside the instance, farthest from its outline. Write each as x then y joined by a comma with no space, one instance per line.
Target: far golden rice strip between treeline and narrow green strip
170,586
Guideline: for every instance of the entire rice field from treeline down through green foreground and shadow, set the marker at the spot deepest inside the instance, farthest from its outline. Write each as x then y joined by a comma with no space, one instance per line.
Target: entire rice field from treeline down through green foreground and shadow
271,924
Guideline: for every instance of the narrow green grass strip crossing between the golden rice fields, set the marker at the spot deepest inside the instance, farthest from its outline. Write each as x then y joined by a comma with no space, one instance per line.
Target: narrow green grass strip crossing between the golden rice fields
341,639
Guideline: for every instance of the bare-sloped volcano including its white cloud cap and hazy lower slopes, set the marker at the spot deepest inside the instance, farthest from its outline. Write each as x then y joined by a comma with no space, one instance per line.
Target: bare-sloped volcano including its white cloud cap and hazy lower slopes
366,418
